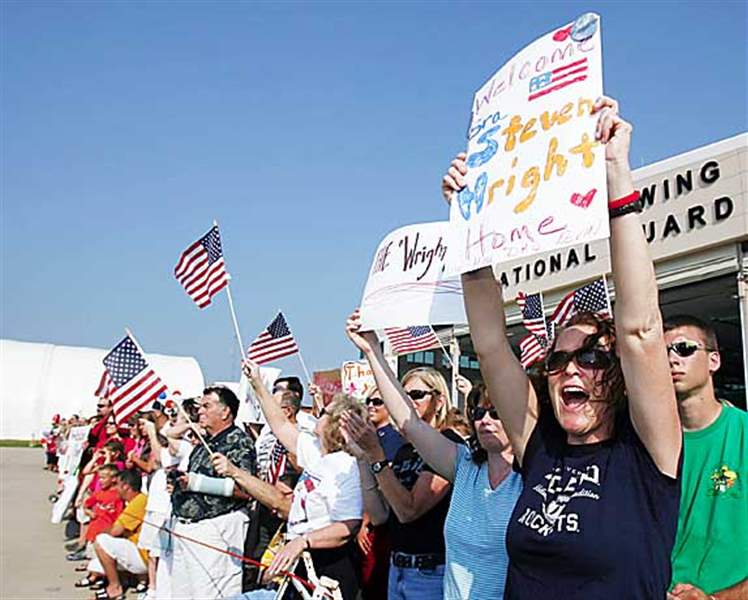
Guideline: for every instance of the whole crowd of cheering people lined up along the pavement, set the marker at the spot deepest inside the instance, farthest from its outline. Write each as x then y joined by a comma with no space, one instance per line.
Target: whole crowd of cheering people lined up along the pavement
612,470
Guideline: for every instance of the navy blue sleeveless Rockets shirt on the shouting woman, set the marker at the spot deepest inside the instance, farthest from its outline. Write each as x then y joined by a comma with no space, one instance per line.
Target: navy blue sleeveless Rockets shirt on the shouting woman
594,521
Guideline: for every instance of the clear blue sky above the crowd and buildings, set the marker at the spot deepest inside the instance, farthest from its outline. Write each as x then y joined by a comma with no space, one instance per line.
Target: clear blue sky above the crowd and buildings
308,130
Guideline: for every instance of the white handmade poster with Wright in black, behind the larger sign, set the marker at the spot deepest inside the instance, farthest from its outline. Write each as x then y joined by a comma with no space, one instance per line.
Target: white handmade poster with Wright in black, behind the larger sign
407,284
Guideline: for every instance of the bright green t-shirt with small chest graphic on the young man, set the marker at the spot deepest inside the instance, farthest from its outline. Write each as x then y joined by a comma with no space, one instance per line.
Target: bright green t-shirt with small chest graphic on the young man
711,546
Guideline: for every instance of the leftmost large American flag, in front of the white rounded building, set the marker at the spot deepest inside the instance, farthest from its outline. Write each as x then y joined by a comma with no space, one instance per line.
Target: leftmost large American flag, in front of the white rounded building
134,384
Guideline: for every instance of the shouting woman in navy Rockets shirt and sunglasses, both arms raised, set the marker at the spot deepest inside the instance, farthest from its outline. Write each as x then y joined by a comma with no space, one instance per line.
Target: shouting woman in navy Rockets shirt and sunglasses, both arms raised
599,447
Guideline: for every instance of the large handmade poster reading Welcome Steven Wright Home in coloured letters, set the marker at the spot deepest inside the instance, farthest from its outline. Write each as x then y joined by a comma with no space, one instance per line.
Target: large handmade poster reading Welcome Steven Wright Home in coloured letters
536,178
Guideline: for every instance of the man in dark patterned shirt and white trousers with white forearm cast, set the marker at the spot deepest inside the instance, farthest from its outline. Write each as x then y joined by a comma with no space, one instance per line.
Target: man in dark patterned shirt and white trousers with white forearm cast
207,508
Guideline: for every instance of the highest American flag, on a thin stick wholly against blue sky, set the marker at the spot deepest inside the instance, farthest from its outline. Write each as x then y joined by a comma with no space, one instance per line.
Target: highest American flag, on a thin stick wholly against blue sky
201,269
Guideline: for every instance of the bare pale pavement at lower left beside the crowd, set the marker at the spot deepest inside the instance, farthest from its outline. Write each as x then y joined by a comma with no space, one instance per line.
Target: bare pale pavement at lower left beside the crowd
32,556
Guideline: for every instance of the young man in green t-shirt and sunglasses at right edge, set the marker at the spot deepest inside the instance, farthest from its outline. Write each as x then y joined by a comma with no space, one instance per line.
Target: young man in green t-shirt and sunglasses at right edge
710,556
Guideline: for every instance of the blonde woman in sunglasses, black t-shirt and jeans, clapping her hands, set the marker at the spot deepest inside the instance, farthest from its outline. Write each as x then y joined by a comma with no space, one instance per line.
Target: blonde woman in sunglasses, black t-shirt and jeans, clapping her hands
406,492
